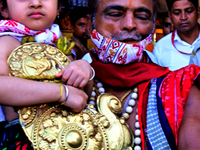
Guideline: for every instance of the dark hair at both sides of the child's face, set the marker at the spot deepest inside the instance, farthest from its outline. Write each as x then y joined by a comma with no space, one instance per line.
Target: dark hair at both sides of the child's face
63,3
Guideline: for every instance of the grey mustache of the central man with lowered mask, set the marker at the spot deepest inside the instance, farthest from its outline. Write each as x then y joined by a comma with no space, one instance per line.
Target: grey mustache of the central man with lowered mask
121,36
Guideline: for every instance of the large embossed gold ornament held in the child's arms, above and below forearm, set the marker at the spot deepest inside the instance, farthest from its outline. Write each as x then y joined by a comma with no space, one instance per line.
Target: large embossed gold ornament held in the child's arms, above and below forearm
55,127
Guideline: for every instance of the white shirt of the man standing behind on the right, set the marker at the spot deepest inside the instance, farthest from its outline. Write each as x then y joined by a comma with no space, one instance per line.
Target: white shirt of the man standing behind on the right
168,56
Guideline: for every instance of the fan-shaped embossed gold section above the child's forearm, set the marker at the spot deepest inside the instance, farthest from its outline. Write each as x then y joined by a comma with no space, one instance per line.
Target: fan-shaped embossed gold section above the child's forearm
35,60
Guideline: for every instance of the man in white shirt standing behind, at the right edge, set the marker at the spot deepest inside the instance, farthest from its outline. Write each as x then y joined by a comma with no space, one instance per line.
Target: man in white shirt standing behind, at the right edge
175,49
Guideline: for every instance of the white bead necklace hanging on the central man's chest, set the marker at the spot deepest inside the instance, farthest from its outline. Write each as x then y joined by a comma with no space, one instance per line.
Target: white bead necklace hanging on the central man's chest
128,110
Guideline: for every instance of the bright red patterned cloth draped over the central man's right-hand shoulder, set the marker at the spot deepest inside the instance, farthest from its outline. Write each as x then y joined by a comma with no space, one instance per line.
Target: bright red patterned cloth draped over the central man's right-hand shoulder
174,92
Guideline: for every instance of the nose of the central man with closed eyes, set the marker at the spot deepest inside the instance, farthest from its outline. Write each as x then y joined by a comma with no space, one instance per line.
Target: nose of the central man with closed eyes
128,22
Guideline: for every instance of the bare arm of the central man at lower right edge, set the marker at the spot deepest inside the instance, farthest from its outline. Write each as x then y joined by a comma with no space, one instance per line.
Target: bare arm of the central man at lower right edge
188,138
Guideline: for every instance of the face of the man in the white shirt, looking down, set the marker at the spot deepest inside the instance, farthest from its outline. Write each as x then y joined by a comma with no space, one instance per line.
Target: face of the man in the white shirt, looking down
184,15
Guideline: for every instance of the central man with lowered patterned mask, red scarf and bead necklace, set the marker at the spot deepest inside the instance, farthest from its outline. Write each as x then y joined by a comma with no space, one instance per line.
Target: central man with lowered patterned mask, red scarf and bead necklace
153,98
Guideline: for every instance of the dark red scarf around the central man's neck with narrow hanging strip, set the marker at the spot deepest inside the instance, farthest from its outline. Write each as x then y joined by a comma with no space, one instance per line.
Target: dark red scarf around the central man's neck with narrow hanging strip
127,76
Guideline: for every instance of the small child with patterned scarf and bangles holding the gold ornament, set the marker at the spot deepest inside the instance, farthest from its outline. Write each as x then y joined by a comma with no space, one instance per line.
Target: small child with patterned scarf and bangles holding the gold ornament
35,18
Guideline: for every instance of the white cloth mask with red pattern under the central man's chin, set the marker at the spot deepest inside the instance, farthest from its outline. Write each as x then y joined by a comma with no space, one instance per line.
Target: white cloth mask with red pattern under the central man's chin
112,51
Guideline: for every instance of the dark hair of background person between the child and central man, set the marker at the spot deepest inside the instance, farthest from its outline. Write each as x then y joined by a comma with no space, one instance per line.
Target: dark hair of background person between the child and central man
76,13
